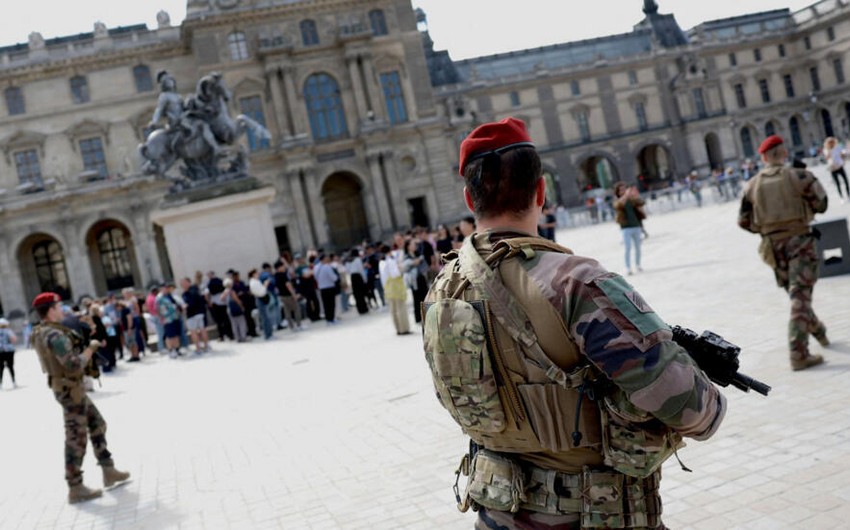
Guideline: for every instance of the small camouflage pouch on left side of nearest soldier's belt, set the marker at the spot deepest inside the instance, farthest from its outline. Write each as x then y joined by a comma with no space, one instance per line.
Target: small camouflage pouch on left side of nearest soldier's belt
496,482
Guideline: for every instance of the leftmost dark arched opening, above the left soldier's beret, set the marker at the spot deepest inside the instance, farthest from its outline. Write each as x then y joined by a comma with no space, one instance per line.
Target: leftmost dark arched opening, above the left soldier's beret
42,264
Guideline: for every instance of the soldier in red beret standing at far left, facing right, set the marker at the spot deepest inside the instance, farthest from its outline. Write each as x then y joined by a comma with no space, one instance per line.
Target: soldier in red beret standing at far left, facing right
63,357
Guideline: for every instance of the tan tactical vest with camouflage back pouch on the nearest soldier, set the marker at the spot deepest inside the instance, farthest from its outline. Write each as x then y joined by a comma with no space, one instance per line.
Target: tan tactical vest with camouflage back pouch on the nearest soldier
503,363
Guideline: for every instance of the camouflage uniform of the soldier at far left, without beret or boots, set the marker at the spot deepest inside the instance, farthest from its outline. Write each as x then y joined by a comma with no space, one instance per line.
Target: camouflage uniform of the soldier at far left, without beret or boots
80,414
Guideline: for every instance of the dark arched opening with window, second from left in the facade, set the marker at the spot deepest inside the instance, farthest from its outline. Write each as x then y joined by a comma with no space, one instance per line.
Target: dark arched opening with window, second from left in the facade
112,256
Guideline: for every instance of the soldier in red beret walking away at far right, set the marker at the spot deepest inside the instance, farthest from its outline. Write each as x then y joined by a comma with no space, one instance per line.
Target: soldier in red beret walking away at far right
779,203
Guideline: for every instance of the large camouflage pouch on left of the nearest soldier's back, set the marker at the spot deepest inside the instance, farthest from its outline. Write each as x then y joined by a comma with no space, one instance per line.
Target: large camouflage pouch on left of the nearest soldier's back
457,351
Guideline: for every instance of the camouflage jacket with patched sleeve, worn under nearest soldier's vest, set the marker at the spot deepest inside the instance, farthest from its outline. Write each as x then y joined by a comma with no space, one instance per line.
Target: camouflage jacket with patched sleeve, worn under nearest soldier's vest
615,329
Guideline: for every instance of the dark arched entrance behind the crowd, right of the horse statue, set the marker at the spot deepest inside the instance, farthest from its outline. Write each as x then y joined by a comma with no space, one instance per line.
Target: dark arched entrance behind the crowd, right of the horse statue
343,201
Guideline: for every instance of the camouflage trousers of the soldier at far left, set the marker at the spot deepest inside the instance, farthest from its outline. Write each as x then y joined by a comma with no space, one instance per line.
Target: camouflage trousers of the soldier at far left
81,418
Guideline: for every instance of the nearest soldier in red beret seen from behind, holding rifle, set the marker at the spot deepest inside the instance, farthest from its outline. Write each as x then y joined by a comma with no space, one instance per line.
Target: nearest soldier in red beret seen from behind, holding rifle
567,382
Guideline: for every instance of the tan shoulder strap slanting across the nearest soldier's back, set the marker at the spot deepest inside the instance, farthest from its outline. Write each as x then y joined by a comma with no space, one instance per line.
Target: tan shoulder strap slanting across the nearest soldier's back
479,272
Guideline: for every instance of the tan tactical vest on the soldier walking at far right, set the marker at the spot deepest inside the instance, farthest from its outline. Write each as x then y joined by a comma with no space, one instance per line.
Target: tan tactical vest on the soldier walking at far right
778,208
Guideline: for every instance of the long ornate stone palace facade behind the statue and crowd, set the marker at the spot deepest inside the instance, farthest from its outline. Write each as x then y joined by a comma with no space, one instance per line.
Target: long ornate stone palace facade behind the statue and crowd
366,117
